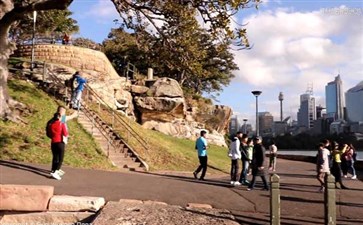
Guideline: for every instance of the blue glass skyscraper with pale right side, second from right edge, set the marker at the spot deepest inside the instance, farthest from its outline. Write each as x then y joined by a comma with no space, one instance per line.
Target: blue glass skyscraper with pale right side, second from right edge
335,99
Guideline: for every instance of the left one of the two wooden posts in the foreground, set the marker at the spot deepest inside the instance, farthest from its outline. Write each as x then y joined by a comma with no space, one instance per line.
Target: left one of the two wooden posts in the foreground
275,200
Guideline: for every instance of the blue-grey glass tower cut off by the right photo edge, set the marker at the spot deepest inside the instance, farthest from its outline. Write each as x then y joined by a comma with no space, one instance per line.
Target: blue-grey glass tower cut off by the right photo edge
354,103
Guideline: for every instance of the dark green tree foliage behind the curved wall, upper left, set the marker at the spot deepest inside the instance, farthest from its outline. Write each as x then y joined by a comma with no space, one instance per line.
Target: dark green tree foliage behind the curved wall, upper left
52,23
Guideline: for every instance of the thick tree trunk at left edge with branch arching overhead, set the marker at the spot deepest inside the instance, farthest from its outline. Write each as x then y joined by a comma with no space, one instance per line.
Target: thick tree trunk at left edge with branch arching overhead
10,12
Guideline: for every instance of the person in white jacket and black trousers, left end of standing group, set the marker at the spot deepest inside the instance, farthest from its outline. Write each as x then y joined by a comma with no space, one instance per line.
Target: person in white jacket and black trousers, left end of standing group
235,155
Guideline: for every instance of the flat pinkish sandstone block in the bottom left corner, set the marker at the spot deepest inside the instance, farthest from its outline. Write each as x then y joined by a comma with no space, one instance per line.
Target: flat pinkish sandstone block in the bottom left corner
25,197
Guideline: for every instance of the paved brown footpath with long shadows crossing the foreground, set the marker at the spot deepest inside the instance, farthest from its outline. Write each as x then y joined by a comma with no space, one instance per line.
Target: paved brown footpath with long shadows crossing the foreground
300,201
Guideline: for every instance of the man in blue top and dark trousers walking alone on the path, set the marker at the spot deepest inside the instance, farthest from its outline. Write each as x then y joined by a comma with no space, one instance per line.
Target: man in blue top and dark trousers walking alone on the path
201,146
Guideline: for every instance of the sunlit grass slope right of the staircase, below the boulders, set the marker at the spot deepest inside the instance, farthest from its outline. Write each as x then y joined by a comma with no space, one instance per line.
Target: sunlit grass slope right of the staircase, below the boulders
169,153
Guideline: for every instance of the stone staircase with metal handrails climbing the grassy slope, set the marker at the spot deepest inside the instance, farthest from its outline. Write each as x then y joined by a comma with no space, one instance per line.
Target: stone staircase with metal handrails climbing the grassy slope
115,147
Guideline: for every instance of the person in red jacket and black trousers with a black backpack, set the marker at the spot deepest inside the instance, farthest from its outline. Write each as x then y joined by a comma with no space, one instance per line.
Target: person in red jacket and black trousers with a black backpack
58,131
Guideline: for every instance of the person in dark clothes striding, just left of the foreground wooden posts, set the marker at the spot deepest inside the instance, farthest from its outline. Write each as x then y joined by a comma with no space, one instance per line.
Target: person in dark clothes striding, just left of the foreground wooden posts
258,161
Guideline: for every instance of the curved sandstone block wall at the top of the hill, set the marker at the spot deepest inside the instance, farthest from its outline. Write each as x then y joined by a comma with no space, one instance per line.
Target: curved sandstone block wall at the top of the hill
79,58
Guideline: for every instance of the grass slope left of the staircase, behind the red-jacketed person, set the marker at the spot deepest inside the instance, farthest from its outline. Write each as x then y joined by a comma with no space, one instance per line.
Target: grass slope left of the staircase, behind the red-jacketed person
28,142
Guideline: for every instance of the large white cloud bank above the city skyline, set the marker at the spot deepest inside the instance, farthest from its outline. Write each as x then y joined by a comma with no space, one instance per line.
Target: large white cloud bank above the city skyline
292,49
